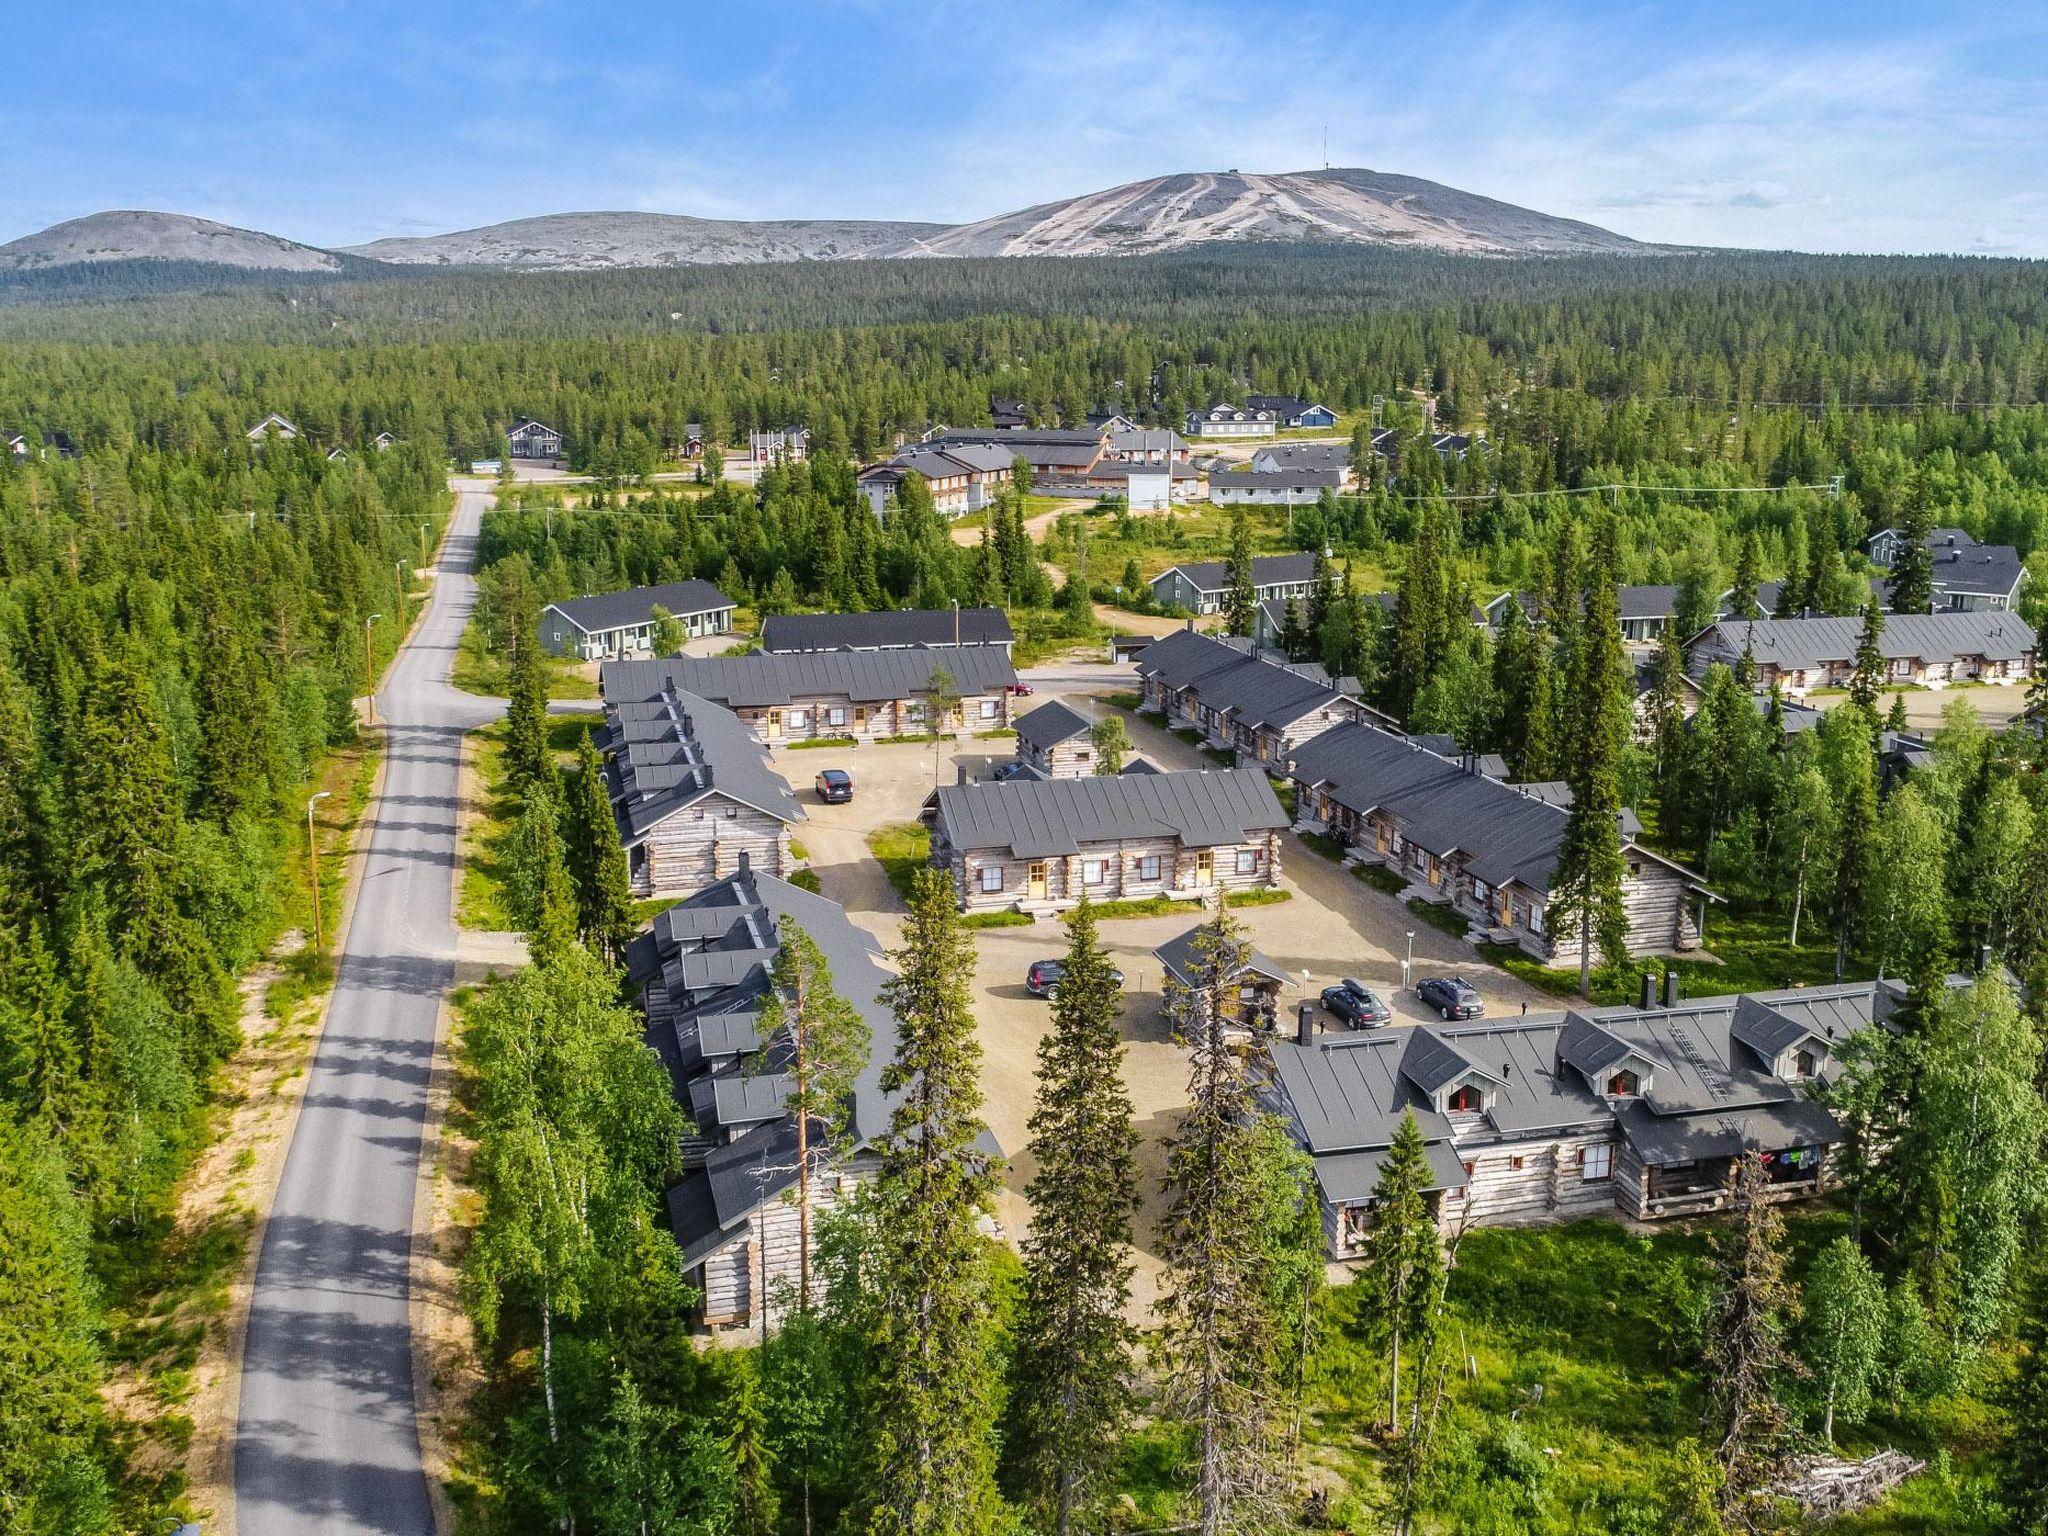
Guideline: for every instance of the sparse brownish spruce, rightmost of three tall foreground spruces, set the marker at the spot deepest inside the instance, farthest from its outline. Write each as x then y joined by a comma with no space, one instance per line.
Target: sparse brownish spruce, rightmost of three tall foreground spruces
1222,1324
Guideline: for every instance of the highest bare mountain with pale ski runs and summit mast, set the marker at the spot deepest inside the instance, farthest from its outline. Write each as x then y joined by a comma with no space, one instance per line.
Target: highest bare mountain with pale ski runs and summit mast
1347,206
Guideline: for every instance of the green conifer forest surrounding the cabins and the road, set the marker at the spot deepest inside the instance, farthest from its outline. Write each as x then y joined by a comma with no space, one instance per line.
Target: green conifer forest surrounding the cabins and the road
183,636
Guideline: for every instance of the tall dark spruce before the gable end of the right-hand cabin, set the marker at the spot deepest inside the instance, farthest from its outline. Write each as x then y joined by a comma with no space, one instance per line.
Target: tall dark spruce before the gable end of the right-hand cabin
1588,882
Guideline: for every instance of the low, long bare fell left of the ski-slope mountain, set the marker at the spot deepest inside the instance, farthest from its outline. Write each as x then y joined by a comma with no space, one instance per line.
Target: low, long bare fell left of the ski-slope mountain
597,241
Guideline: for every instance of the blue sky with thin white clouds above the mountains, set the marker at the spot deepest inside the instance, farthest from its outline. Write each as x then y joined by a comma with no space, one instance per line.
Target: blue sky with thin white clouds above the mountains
1818,124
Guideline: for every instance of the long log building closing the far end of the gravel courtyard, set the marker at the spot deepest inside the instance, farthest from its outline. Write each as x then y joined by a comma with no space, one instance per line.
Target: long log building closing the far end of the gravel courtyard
863,695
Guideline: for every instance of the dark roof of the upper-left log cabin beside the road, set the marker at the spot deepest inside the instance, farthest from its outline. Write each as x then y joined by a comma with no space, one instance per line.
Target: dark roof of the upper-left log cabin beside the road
669,753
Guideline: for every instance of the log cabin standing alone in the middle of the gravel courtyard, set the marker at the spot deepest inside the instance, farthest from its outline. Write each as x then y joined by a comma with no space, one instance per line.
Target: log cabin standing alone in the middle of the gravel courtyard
1037,847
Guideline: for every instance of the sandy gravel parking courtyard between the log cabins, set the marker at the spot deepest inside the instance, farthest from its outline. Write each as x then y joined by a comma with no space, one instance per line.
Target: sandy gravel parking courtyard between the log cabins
1332,927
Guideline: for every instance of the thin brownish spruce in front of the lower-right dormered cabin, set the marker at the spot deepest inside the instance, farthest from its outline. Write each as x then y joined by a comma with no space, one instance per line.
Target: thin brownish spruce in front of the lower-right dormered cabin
1746,1351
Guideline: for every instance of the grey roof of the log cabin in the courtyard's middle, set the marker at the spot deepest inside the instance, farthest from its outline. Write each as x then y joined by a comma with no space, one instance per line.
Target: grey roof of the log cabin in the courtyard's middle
1062,816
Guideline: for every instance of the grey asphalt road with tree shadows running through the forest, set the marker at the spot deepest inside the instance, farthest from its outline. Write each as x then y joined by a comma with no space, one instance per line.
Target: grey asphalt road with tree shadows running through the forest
327,1439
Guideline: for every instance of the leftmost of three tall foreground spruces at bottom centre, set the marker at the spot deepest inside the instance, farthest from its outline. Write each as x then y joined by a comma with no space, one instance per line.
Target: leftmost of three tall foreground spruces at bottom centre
931,1469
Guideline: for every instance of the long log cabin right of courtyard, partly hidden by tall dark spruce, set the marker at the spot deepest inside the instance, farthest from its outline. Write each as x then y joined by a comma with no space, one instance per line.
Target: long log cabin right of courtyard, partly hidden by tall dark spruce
1482,847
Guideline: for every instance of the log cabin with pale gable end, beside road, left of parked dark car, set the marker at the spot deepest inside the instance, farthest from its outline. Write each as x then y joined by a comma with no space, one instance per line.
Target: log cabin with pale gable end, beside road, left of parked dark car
693,794
